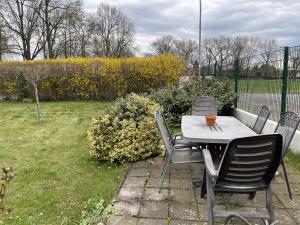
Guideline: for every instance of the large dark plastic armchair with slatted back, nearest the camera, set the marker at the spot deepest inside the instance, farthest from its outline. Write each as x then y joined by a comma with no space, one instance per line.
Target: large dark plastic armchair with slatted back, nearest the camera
248,165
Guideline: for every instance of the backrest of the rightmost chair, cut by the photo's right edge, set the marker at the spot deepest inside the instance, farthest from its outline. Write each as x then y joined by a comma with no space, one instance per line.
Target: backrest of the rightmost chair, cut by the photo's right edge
287,127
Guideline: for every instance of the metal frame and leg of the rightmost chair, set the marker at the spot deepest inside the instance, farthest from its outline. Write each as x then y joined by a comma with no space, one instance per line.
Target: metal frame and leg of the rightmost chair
294,116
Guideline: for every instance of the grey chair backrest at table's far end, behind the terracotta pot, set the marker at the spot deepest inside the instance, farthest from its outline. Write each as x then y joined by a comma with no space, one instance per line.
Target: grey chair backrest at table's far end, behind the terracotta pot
204,105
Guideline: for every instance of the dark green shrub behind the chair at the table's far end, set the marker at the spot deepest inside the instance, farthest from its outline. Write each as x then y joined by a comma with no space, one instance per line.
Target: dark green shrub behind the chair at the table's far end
177,101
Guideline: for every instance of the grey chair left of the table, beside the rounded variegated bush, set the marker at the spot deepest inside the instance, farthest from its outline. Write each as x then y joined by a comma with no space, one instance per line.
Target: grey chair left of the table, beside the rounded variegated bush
174,155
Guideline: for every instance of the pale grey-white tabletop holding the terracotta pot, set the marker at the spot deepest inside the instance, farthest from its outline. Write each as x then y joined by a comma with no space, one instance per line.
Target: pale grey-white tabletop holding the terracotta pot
195,130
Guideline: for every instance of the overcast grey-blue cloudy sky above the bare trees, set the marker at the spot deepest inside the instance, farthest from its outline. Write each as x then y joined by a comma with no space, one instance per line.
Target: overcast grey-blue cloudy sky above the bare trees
277,19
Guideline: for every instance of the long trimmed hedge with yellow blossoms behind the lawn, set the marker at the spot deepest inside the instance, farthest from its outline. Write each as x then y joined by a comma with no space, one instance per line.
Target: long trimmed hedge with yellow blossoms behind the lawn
90,78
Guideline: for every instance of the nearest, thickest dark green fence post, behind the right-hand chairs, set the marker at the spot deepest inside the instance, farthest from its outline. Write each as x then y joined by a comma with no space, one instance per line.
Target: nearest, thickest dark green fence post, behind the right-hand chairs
284,84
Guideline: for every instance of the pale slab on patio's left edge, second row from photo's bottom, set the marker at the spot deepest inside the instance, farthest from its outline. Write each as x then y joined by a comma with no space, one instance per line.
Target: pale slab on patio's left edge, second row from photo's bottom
126,209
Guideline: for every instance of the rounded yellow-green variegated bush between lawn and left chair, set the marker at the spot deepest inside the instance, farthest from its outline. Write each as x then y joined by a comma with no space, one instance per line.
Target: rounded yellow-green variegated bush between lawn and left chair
126,132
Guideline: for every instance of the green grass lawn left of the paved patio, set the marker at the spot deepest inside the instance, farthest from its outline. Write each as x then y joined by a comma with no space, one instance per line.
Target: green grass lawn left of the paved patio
55,176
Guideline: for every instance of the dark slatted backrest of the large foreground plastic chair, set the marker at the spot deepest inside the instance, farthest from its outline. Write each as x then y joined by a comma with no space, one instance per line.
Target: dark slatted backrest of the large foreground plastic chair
250,163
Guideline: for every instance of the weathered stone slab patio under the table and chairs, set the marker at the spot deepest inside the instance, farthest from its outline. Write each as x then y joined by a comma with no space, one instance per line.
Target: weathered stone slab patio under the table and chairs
139,203
